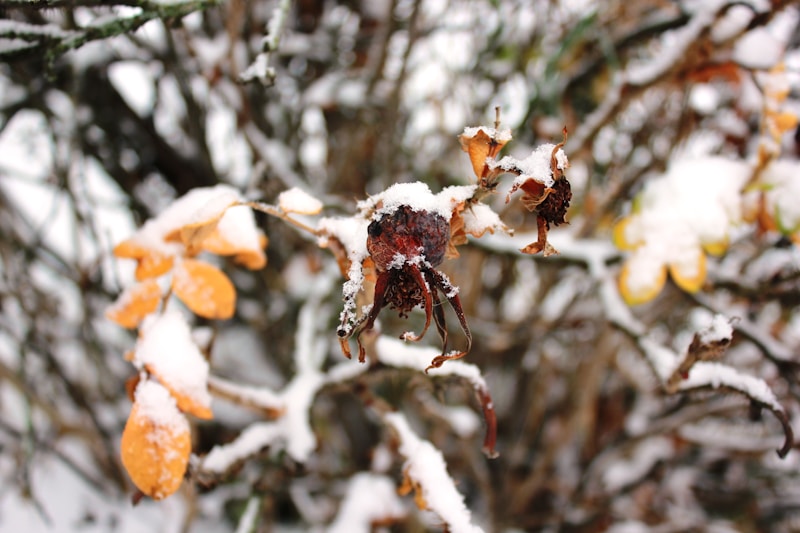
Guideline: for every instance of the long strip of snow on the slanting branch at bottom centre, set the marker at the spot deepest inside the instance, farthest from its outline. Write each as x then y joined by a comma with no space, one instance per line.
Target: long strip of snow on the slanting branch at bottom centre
426,466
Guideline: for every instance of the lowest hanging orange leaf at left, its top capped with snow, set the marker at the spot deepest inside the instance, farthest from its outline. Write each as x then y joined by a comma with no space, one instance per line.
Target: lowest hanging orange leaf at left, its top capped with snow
156,442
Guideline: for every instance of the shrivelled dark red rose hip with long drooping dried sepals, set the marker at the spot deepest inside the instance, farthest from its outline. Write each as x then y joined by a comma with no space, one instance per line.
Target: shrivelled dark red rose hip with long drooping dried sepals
406,245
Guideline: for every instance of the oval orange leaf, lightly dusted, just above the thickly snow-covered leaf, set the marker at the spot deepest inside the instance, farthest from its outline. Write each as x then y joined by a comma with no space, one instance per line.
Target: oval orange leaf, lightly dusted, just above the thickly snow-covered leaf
204,289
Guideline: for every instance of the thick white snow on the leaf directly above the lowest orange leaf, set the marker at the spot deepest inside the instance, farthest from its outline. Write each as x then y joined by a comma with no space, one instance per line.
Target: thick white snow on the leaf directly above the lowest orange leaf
166,346
